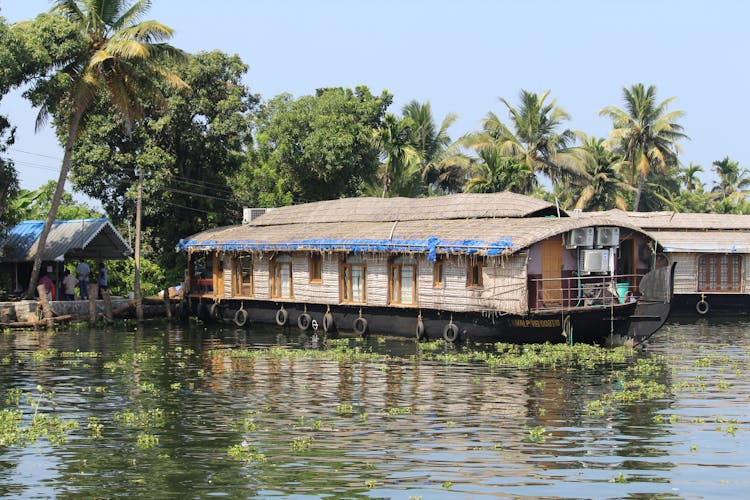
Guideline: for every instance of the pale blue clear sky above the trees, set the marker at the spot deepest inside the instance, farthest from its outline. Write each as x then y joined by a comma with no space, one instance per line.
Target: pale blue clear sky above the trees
462,56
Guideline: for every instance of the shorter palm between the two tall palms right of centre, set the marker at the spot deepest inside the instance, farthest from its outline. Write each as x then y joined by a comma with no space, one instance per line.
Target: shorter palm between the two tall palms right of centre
606,189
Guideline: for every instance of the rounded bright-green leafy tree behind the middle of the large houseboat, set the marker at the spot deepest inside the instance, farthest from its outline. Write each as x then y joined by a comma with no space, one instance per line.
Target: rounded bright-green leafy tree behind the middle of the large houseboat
321,146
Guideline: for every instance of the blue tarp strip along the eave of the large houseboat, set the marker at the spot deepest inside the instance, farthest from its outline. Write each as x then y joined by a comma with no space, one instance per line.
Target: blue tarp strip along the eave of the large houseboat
432,246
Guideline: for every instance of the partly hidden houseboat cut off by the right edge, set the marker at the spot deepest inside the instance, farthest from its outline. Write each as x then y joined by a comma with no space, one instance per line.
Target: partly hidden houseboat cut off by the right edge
711,255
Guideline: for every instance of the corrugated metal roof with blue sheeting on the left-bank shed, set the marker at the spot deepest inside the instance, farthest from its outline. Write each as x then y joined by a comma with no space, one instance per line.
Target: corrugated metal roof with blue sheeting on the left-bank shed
68,239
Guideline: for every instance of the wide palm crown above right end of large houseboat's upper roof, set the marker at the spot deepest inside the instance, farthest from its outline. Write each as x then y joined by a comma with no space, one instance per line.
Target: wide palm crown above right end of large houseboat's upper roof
532,138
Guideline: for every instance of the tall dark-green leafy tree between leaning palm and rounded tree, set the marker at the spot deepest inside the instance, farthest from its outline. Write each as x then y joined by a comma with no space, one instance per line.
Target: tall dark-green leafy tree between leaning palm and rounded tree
190,152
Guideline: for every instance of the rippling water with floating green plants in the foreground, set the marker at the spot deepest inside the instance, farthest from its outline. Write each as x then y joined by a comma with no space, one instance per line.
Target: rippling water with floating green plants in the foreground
400,423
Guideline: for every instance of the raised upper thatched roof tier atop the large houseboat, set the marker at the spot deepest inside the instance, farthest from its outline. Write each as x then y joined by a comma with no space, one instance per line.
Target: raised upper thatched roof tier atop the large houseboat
456,206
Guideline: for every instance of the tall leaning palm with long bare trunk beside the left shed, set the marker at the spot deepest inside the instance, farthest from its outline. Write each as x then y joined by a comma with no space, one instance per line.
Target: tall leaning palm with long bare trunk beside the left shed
123,59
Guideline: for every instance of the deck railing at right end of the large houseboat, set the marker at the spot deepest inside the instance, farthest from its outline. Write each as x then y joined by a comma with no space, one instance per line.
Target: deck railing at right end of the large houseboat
581,291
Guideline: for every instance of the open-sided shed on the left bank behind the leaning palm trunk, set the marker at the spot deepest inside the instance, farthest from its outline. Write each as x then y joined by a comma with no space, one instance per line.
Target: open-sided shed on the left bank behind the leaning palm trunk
69,240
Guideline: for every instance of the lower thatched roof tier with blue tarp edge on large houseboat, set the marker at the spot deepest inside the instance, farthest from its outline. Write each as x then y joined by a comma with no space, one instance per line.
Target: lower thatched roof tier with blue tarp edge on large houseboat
486,236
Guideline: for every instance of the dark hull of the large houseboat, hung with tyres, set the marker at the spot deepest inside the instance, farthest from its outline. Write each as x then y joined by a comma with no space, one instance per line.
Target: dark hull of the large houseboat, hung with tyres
596,324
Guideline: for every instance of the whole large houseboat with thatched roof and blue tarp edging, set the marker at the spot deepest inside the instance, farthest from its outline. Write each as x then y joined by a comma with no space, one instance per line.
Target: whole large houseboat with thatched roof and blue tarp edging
486,267
